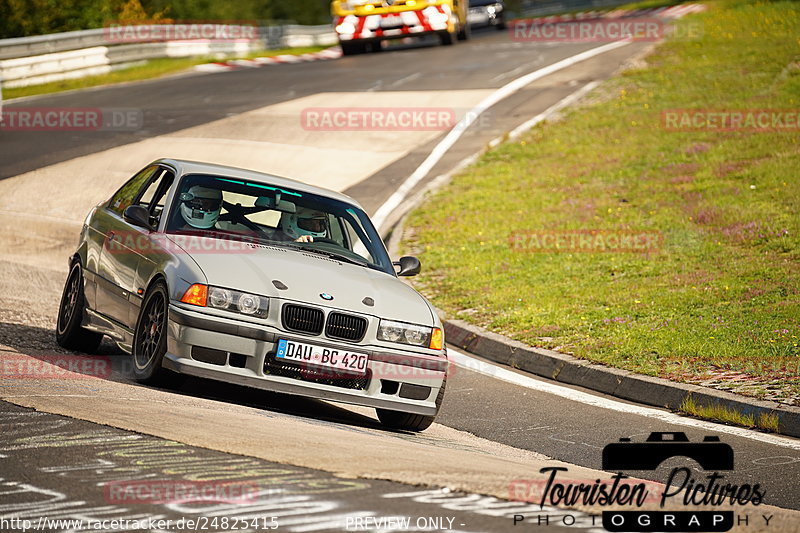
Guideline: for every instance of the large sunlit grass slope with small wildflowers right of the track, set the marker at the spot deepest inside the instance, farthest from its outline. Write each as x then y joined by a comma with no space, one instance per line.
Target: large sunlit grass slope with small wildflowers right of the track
723,291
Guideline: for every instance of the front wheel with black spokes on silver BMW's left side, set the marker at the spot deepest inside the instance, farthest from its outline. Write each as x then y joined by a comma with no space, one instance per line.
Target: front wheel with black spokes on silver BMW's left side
150,337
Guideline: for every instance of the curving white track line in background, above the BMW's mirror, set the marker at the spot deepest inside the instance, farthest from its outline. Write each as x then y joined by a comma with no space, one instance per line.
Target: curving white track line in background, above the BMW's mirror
455,133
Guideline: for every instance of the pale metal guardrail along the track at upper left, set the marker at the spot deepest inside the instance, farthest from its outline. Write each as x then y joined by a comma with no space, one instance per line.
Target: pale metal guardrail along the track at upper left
46,58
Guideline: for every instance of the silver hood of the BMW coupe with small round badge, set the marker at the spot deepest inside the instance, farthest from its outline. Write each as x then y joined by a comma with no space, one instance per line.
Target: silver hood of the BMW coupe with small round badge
261,269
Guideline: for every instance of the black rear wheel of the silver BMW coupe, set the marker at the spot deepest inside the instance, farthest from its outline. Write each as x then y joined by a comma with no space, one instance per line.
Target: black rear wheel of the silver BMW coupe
69,332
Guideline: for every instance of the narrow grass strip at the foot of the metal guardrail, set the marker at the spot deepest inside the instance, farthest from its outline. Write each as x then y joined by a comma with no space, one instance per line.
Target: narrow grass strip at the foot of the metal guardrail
153,68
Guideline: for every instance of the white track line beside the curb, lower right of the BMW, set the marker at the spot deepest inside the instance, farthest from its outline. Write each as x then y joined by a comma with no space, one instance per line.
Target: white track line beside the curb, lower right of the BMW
488,369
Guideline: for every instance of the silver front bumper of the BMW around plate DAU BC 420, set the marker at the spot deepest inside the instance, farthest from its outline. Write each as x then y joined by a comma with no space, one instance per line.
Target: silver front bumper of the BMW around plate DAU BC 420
243,354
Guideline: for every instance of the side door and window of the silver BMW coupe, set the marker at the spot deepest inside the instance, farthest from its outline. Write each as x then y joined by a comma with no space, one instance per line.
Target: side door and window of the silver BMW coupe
122,250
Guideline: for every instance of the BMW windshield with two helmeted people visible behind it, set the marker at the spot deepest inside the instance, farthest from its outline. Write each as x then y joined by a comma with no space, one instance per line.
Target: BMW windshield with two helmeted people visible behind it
219,207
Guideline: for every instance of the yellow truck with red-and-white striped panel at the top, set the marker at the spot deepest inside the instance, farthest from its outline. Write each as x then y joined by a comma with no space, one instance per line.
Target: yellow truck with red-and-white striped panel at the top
361,25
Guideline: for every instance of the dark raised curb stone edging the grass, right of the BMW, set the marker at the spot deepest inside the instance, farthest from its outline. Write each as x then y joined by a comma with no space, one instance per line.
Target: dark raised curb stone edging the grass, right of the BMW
638,388
